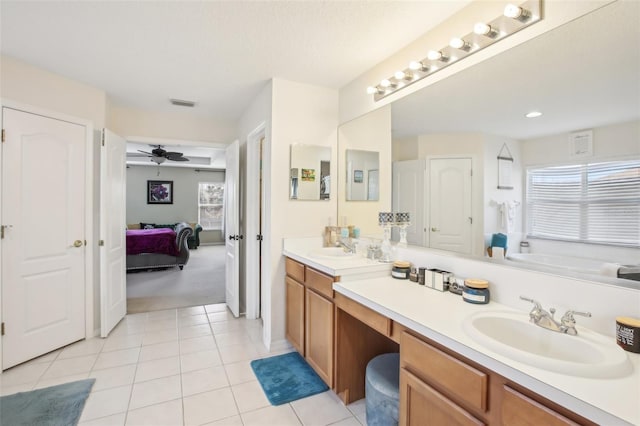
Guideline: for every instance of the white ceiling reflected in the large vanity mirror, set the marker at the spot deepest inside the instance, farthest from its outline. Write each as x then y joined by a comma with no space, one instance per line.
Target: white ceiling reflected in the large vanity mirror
584,74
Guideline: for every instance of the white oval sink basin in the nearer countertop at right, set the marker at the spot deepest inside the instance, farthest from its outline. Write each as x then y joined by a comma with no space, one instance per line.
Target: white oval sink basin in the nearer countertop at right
510,334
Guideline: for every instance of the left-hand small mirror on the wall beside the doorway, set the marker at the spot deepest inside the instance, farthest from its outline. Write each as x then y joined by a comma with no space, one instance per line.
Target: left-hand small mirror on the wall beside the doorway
309,172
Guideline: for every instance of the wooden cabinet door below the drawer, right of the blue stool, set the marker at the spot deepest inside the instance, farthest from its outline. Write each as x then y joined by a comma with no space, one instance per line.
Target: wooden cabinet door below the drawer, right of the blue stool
420,404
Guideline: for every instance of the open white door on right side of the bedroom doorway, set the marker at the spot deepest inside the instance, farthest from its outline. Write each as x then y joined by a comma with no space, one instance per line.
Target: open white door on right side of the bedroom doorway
232,228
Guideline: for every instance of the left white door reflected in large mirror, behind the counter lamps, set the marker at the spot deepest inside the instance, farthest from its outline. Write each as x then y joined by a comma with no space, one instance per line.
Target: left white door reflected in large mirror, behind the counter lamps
408,196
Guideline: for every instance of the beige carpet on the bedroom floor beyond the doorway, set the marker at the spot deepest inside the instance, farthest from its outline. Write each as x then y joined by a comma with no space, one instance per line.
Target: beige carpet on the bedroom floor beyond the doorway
201,282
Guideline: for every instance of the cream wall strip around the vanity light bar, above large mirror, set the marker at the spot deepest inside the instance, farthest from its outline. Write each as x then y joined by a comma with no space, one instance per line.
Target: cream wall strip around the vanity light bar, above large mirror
354,101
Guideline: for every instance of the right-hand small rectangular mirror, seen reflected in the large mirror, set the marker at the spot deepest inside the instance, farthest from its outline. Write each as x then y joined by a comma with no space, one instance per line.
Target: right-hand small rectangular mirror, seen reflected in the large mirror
363,168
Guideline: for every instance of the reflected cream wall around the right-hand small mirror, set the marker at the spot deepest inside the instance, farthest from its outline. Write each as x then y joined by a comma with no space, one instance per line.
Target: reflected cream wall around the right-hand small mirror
371,132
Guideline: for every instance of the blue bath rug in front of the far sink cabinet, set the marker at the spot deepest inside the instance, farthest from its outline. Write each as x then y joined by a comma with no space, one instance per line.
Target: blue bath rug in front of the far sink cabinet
286,378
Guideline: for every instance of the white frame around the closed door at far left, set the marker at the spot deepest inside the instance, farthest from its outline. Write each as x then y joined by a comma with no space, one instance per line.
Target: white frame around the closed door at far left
90,253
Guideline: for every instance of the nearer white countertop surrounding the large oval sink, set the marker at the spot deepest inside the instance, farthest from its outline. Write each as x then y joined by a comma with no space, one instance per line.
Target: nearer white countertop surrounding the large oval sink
439,316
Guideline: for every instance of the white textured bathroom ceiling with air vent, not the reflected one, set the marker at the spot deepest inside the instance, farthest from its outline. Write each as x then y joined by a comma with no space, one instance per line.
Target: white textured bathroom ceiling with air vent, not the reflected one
216,53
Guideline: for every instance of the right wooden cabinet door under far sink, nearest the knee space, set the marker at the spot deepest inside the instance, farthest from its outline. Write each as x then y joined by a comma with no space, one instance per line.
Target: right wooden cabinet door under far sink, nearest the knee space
319,335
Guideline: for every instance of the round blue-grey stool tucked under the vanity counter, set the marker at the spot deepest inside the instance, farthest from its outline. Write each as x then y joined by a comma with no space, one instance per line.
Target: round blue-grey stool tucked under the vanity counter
382,390
